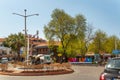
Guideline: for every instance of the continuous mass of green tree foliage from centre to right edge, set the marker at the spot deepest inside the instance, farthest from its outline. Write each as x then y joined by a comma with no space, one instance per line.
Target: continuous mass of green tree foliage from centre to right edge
76,37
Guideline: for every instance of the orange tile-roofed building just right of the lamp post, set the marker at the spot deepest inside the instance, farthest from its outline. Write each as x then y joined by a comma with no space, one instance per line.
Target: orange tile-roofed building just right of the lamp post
38,46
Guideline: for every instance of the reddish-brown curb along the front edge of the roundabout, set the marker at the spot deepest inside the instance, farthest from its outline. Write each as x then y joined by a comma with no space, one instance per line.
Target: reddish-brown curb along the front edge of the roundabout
38,73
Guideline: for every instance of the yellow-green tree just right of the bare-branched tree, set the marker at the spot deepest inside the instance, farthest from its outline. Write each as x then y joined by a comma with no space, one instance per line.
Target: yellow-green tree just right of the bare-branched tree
98,42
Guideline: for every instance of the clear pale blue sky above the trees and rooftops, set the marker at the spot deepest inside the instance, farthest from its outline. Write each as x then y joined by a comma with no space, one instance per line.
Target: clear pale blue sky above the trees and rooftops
101,14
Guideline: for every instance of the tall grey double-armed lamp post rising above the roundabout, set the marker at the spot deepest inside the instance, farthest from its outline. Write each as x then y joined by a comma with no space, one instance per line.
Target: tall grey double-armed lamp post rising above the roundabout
25,17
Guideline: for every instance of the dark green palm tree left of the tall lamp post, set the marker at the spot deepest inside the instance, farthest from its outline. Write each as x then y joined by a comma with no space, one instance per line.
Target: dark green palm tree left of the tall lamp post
15,42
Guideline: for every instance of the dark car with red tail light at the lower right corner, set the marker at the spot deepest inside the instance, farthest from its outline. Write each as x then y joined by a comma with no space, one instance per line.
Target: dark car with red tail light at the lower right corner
112,70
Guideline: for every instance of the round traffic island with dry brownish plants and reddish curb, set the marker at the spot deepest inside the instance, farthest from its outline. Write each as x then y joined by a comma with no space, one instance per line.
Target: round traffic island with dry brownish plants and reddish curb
21,69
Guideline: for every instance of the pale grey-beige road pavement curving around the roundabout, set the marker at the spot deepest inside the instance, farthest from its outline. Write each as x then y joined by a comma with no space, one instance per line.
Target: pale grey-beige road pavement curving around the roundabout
81,73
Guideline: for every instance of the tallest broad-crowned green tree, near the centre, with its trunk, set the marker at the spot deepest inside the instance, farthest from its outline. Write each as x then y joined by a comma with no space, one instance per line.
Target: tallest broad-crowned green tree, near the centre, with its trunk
65,28
